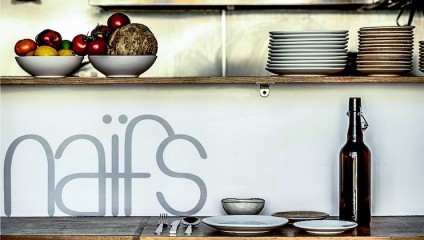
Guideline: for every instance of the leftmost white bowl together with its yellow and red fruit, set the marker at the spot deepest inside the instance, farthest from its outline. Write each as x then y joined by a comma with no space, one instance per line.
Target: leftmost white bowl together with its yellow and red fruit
47,56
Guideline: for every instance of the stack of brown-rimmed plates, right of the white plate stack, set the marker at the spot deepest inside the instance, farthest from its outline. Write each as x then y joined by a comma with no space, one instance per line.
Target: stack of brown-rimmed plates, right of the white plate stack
385,51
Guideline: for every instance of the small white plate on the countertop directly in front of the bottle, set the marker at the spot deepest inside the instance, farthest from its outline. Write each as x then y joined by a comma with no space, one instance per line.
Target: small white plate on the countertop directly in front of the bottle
325,226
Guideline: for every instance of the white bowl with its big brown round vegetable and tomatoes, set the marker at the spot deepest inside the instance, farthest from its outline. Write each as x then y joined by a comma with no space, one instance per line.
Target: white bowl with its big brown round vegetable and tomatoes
127,51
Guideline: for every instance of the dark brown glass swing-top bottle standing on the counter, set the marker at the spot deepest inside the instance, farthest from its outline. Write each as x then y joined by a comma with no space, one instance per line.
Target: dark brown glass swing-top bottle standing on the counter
355,171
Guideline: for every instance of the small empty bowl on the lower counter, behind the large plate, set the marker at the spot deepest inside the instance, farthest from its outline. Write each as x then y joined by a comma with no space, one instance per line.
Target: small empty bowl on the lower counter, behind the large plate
243,206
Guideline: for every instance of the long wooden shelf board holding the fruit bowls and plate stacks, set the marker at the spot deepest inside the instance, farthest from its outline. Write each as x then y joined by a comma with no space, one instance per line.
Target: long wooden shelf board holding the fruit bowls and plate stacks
207,80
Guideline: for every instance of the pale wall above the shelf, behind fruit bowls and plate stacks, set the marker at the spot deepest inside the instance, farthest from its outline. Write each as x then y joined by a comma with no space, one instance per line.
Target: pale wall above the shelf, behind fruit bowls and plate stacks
192,46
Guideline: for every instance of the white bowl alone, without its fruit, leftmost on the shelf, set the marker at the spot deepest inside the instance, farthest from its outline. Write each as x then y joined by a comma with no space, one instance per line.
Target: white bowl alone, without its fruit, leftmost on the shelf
49,66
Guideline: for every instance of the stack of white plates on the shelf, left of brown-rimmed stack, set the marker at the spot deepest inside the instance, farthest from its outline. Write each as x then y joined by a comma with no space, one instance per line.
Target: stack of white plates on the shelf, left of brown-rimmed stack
307,52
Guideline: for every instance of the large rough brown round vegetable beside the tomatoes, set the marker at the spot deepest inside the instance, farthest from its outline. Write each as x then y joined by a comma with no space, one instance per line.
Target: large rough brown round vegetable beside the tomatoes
132,39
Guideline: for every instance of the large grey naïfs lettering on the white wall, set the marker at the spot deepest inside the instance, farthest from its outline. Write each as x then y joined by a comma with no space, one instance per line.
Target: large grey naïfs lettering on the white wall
55,193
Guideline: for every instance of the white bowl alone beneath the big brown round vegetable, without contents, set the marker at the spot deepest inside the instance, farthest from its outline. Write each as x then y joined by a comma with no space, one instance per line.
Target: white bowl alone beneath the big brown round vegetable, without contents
122,66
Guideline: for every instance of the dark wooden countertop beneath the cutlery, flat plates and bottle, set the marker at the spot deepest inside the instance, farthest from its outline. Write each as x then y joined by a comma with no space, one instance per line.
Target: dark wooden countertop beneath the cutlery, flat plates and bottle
117,228
